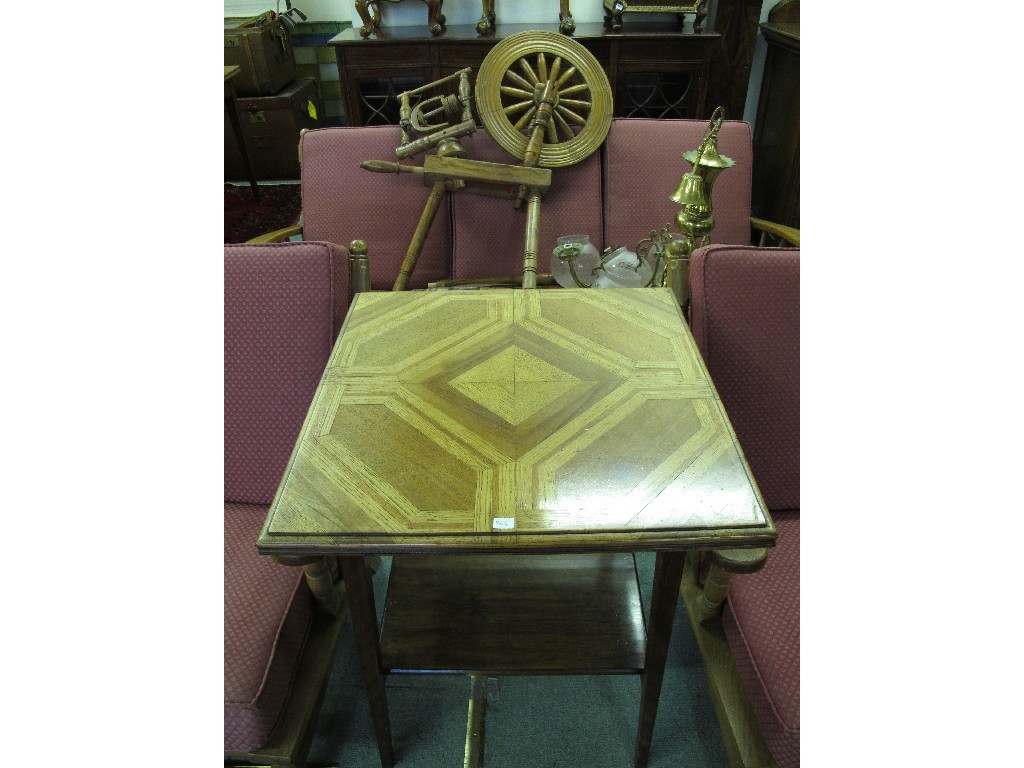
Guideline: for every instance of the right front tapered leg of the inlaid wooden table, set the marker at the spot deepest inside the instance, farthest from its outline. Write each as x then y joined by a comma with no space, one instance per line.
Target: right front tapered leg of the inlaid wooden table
668,573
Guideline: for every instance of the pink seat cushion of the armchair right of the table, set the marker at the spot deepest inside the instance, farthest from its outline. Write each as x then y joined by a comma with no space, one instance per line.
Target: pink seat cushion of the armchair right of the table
762,625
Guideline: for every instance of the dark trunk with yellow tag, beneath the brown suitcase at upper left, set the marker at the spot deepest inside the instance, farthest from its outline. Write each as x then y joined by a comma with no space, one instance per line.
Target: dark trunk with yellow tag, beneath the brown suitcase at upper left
272,126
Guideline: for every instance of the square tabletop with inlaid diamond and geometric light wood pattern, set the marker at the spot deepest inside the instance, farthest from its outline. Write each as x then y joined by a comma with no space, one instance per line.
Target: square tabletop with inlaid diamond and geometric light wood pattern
561,410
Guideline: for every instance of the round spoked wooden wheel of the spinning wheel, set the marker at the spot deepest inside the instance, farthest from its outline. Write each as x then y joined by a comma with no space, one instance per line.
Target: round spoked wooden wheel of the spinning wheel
533,72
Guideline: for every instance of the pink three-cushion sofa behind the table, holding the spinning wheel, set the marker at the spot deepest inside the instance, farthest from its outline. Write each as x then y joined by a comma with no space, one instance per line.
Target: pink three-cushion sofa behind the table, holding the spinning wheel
616,196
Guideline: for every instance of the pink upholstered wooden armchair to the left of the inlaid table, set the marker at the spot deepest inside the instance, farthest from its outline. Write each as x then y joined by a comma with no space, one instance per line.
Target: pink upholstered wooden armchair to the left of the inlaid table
282,315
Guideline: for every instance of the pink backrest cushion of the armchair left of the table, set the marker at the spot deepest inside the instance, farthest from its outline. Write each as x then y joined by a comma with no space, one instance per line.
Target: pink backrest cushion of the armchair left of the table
282,315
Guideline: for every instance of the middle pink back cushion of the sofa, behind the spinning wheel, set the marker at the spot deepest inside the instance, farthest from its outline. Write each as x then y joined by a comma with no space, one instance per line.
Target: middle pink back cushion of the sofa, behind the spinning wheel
490,234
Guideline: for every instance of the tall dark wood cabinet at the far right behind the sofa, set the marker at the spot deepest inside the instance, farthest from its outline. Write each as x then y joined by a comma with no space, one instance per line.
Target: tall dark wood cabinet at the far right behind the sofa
776,194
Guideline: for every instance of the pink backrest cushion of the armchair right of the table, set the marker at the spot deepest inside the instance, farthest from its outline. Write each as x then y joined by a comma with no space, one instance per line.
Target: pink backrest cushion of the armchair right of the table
745,316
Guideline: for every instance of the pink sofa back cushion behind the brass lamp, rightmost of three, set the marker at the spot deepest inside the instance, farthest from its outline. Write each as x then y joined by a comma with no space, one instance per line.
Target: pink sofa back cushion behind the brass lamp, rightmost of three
644,165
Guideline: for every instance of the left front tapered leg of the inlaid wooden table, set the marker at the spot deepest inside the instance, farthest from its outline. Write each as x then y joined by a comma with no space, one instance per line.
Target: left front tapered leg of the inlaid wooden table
360,592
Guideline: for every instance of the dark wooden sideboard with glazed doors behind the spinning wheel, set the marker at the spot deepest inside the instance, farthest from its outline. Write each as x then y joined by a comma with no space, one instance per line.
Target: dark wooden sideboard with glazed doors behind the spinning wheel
656,71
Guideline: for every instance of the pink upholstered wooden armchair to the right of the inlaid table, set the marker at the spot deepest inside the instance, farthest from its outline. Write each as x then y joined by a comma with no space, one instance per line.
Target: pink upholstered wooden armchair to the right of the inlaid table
746,319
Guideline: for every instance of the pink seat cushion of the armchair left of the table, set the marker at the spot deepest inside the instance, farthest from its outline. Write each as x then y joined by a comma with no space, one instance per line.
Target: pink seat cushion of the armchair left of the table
268,615
